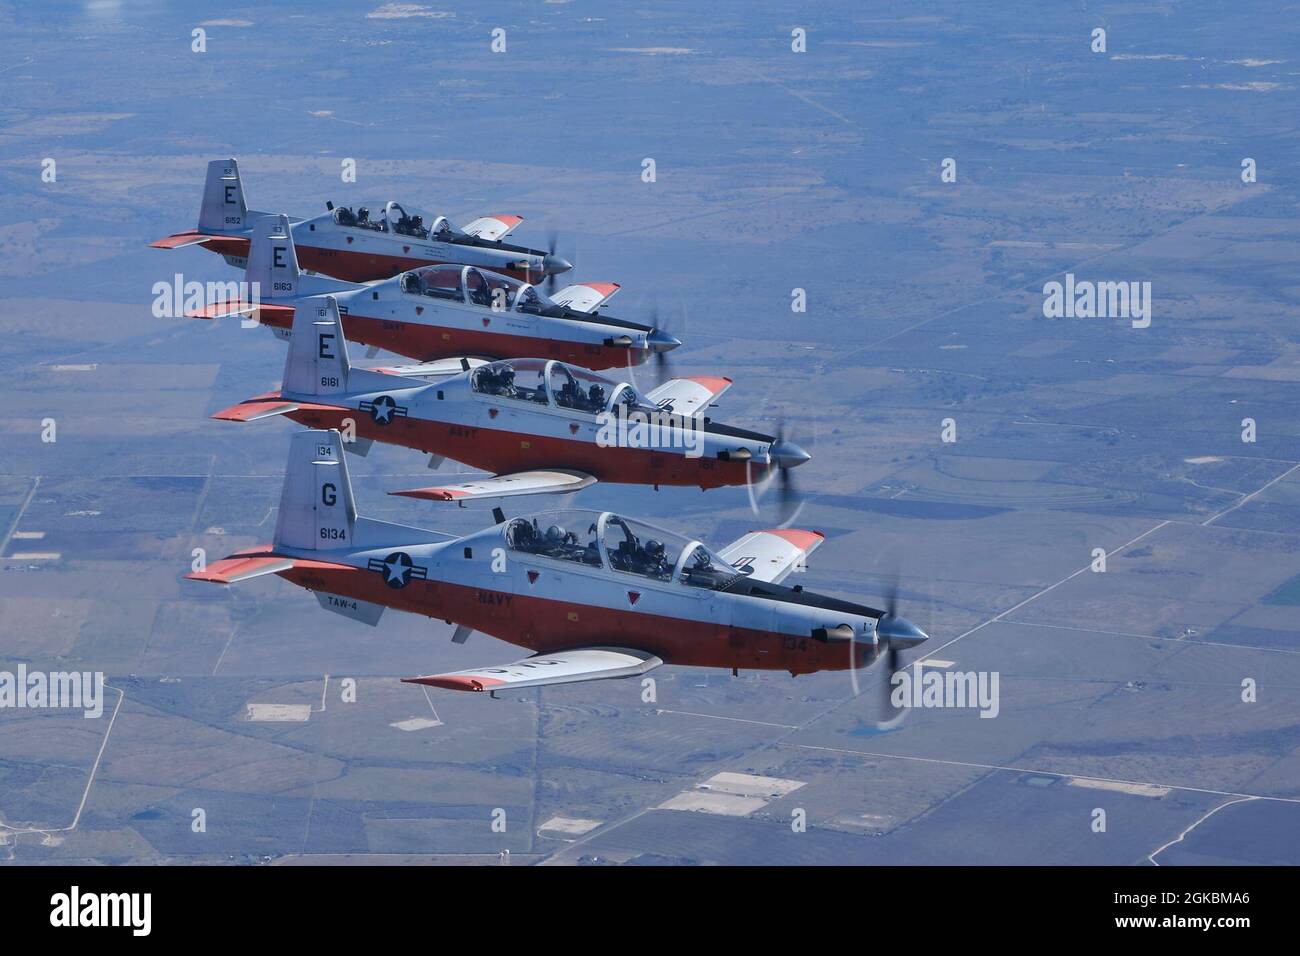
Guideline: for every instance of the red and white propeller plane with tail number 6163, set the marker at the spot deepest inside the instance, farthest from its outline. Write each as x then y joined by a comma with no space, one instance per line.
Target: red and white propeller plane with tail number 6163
444,312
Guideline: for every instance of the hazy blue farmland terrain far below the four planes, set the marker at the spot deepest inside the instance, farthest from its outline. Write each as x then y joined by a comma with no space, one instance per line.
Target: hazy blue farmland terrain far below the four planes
777,171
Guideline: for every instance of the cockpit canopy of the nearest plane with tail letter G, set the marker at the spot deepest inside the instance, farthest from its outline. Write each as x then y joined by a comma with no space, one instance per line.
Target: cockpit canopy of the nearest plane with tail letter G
605,540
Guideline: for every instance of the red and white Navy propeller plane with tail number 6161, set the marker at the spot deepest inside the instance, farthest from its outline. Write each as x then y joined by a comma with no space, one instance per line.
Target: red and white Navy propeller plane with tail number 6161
539,426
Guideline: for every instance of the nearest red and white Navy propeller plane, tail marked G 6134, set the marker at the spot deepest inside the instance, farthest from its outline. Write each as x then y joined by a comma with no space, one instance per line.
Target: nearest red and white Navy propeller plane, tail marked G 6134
593,595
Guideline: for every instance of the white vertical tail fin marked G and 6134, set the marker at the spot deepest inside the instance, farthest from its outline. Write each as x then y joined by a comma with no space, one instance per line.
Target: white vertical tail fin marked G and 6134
317,508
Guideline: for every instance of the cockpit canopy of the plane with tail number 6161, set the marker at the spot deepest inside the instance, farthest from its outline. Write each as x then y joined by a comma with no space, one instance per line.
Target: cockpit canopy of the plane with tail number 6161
557,384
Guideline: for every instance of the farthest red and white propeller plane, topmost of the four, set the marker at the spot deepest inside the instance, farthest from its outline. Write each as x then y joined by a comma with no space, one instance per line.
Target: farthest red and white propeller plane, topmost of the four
363,244
